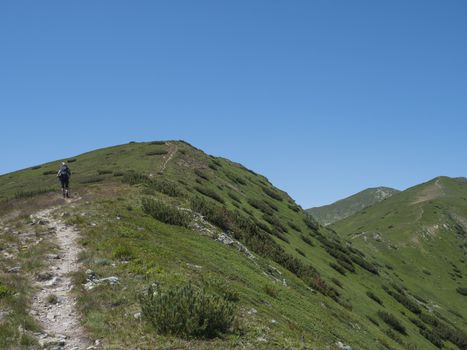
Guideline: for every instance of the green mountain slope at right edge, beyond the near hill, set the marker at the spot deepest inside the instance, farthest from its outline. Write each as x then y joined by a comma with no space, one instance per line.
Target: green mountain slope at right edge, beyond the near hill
421,233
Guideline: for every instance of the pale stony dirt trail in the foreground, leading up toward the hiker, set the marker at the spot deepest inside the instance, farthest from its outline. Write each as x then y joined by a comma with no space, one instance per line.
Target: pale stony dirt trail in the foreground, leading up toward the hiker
59,321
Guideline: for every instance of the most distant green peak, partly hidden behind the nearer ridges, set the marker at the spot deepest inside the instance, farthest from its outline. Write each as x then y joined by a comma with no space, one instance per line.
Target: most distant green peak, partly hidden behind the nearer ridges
346,207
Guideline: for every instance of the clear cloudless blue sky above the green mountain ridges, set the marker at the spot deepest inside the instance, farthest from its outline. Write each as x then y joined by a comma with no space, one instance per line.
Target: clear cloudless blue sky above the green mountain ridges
325,98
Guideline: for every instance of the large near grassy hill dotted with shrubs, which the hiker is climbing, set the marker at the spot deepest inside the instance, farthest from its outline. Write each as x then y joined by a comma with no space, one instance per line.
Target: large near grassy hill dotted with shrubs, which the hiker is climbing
166,213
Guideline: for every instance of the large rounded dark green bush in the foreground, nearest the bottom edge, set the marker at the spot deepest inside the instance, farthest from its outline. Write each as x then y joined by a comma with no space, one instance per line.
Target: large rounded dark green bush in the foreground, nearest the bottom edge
187,312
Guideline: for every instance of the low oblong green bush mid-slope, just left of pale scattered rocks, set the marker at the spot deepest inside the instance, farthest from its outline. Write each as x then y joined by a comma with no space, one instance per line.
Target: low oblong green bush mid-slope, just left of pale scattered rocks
165,213
